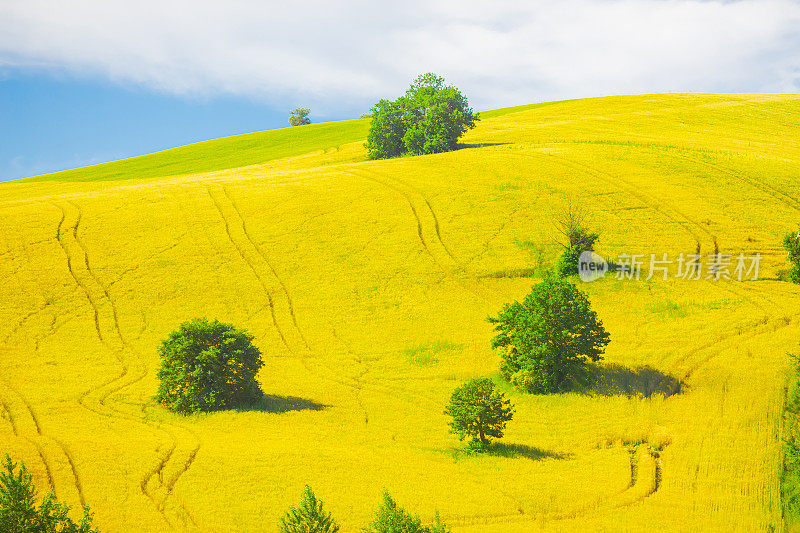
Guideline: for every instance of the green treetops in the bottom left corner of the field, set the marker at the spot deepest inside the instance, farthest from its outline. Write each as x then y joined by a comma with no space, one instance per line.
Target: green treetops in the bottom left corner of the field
18,510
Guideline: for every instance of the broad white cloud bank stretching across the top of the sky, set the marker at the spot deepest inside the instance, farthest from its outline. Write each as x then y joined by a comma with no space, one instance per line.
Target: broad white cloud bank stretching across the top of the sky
336,56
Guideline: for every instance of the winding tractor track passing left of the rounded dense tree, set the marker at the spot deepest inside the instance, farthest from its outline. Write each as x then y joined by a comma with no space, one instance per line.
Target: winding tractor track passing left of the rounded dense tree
133,370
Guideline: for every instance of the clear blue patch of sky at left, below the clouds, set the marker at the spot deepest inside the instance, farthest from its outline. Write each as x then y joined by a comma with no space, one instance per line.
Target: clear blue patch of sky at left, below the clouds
51,123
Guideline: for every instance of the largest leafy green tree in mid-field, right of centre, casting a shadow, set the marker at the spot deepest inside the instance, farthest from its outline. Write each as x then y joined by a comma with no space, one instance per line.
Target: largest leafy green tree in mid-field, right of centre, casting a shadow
548,338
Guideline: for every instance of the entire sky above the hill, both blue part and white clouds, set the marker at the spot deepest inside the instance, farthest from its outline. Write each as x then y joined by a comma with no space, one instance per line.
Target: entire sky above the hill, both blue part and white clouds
87,81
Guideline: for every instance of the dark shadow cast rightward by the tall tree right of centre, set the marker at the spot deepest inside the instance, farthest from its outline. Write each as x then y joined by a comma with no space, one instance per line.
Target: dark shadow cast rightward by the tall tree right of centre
614,380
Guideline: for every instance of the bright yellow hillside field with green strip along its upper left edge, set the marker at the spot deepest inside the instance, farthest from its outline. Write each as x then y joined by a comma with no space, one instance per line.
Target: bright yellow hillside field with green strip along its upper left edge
367,285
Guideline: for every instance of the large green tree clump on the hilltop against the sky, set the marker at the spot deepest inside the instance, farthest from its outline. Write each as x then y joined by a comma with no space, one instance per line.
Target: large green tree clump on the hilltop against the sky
428,119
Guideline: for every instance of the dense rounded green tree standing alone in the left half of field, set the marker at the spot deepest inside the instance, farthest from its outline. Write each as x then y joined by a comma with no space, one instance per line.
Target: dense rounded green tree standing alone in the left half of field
207,366
